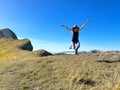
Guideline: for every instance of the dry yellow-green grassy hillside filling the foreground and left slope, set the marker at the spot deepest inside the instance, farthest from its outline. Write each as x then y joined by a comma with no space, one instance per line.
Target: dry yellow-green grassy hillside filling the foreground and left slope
22,70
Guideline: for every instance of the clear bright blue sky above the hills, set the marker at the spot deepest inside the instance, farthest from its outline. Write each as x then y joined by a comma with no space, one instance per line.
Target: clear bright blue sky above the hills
40,20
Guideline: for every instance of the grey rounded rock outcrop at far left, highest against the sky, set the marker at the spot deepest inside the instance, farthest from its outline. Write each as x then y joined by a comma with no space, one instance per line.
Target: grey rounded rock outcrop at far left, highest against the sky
7,33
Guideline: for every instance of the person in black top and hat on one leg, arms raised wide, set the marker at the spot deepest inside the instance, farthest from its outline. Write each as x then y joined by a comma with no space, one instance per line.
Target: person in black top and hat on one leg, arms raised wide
75,30
